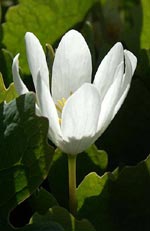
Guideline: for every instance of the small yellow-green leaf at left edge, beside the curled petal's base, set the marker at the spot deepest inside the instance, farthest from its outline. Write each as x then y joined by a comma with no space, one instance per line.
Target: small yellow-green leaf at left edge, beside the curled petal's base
7,94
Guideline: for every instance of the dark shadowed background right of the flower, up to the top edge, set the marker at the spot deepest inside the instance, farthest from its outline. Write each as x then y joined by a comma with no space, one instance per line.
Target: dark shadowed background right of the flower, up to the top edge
127,138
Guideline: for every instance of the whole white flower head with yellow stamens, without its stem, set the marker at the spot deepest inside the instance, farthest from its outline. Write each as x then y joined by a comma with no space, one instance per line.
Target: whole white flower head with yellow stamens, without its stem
78,111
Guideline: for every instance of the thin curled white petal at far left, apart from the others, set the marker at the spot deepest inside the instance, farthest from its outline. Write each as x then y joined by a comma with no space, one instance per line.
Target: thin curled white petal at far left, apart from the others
19,85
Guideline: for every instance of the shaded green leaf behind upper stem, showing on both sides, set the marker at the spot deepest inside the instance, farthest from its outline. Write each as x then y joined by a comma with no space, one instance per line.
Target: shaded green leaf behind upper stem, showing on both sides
92,159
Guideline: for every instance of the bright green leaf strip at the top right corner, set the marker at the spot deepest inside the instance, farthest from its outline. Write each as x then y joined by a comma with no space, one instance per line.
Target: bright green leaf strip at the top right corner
145,33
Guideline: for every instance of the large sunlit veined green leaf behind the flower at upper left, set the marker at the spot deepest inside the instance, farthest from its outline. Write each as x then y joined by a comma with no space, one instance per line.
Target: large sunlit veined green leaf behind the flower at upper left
48,19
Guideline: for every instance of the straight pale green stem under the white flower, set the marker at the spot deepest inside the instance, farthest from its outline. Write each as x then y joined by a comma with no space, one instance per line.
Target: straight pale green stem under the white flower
72,183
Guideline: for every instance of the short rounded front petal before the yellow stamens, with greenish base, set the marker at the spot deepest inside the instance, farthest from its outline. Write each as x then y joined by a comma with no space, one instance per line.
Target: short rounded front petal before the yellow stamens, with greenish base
80,118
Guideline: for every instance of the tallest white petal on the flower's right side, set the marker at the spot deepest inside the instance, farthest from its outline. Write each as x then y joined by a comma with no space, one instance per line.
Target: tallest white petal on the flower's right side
105,74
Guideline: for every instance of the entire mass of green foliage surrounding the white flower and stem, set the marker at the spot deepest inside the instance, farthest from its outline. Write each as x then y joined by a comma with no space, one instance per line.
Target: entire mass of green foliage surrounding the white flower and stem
111,201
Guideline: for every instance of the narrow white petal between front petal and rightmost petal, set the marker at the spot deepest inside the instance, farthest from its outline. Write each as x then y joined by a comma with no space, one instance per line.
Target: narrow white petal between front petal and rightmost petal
110,100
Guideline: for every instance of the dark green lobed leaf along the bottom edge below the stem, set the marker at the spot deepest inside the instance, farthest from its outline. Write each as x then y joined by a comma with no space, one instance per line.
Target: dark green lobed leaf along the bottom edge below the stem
64,218
